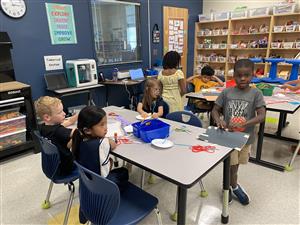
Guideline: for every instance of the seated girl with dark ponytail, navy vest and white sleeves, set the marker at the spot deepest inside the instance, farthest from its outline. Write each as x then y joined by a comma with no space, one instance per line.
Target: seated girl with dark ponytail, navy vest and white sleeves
91,148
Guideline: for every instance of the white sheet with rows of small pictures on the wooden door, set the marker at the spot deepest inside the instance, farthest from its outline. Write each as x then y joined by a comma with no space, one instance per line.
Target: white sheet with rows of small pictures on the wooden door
176,35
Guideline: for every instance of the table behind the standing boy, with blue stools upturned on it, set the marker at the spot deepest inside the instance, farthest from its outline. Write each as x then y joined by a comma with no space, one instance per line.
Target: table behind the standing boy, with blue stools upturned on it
275,104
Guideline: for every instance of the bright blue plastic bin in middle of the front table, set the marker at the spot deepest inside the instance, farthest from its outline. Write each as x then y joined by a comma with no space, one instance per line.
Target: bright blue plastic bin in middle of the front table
150,130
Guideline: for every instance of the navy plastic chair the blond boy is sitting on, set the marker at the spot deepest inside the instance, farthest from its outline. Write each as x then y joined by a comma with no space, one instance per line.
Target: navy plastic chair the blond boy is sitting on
50,165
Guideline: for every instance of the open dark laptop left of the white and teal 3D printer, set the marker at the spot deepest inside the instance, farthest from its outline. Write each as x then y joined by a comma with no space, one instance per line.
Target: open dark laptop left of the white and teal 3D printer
56,81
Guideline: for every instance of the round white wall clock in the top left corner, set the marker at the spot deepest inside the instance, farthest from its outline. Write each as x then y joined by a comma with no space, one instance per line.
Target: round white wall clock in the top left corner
13,8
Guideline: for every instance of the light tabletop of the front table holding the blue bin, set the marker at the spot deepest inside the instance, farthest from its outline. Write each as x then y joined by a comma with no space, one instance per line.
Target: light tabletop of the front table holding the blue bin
177,164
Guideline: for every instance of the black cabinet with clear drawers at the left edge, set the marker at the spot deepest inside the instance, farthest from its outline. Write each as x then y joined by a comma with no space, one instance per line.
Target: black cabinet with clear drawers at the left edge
17,119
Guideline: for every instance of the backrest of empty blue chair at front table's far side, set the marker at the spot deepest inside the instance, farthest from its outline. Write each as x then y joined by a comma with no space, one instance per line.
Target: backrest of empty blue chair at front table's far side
185,117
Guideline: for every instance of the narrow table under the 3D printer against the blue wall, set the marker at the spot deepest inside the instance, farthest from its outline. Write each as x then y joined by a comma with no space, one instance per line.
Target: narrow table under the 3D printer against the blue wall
77,90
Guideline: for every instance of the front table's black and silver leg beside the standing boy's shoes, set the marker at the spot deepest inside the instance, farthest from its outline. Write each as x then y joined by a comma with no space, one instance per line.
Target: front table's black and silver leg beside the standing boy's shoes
226,183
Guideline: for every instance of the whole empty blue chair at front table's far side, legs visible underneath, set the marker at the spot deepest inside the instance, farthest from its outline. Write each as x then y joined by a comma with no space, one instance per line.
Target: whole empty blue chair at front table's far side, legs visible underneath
190,119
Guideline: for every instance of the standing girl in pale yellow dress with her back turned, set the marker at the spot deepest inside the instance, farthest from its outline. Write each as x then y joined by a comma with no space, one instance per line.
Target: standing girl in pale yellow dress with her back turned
173,81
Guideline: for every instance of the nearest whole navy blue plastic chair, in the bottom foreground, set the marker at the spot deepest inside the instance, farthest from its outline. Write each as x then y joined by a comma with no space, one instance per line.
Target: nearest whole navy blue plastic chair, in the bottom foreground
102,203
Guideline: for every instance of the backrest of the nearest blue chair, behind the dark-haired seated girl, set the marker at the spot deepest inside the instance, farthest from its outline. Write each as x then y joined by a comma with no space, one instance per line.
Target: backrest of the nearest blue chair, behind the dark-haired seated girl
99,197
